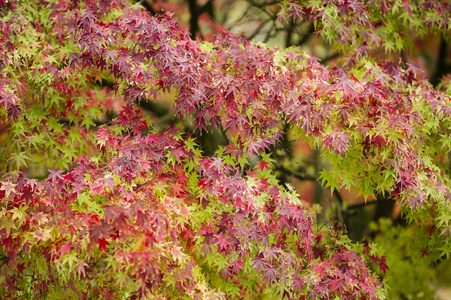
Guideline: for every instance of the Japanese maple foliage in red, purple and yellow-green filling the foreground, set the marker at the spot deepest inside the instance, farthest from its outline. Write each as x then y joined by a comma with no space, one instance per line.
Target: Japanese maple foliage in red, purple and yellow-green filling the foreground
101,199
